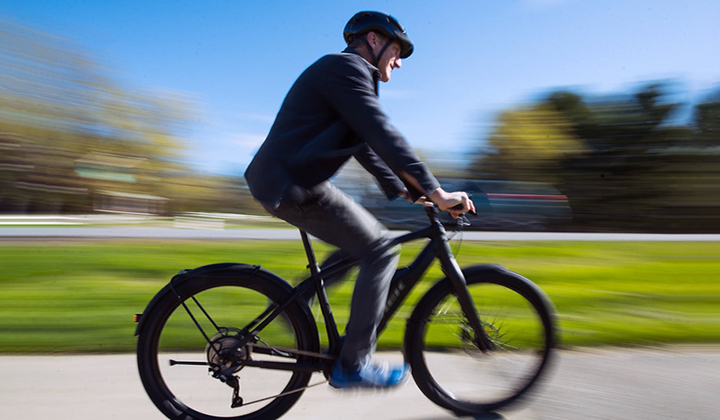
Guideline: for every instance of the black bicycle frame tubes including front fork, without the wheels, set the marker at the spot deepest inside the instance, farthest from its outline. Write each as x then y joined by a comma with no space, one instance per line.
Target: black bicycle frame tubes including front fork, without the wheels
402,283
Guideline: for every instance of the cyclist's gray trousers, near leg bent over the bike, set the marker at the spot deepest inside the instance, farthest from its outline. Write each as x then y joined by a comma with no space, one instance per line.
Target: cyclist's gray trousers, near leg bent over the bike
332,216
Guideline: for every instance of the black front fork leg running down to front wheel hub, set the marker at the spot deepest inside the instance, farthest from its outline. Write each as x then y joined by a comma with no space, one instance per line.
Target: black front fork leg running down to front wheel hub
454,273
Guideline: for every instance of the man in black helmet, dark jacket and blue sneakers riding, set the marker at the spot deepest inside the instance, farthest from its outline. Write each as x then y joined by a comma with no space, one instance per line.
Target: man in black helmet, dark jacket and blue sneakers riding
330,114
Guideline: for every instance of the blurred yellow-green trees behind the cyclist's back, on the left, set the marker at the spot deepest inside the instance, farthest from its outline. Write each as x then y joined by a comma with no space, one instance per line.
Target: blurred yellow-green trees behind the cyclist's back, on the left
69,132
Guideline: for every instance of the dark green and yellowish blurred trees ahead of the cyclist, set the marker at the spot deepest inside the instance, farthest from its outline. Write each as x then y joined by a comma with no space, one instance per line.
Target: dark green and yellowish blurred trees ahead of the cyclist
621,161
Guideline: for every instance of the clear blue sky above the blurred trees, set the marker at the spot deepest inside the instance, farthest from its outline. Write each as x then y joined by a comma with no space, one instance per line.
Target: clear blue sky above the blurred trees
473,58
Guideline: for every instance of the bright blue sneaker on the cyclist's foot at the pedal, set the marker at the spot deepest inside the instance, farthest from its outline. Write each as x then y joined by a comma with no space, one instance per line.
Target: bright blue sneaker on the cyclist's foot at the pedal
370,376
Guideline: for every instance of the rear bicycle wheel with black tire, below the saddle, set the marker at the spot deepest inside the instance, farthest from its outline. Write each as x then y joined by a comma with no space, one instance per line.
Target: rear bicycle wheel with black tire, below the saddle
232,298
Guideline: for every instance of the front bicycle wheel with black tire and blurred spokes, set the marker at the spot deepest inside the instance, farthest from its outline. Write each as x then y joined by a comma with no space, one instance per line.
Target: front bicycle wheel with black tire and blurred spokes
450,369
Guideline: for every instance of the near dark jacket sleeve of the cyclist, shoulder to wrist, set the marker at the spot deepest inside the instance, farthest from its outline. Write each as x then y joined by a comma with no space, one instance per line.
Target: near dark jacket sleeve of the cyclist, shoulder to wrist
348,85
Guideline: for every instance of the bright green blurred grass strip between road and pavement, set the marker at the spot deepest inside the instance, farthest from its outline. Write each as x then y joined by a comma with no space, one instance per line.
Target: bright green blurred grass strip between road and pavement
79,296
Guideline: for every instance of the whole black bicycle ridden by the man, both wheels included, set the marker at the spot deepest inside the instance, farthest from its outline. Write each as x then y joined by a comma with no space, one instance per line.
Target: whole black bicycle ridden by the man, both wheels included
237,319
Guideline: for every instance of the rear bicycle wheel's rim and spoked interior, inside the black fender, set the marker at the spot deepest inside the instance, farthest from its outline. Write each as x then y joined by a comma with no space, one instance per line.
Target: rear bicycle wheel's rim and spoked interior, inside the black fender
195,386
